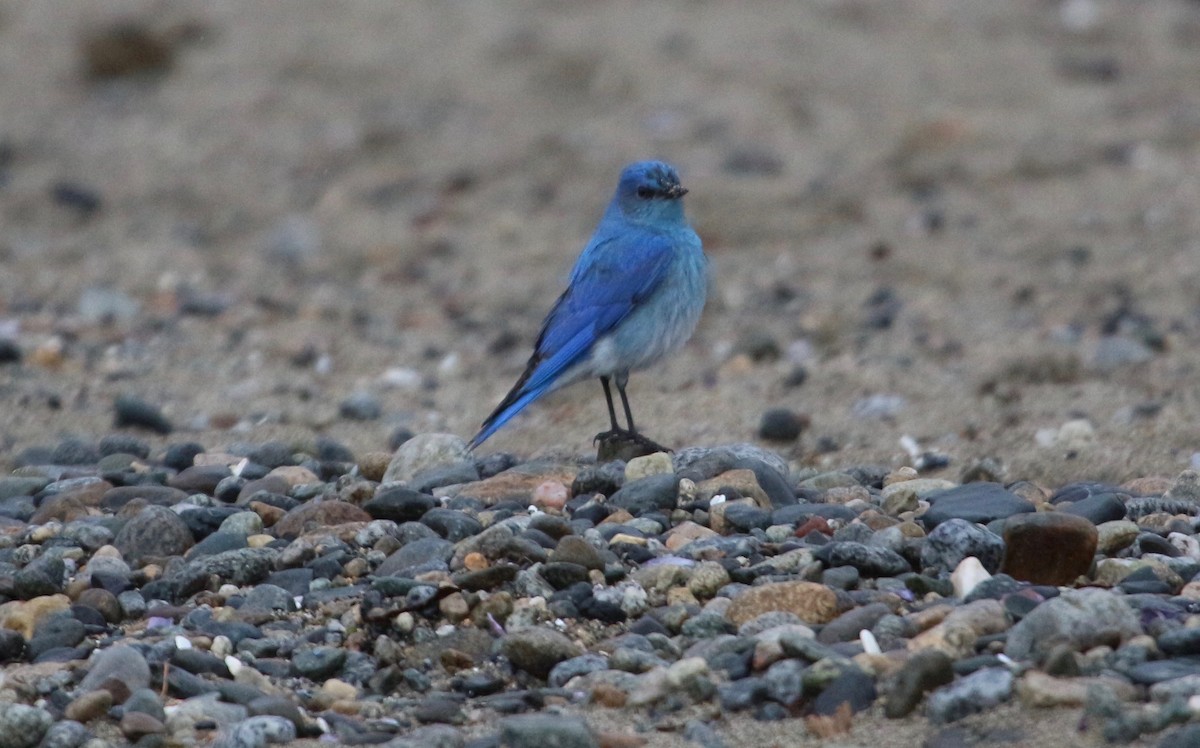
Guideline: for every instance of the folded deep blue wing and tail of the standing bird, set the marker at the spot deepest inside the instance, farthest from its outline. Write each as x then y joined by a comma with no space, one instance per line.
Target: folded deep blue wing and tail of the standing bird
614,276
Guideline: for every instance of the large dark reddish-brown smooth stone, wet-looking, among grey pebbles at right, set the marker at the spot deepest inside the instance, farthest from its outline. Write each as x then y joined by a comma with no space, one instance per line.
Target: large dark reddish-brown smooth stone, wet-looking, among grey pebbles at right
1049,548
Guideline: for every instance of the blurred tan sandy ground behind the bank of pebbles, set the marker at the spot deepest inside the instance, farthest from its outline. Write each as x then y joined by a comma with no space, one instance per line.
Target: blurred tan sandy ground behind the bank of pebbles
386,198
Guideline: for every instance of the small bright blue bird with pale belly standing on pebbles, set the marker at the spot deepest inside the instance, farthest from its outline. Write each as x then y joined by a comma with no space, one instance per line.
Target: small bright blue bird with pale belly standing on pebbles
635,296
